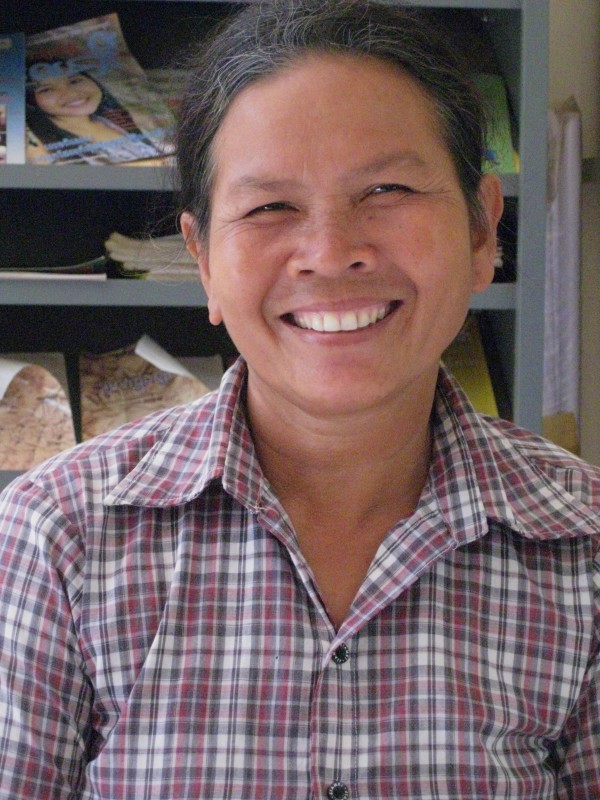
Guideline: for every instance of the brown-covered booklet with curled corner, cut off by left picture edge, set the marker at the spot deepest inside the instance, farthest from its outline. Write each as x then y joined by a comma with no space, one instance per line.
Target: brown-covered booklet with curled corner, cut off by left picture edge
36,421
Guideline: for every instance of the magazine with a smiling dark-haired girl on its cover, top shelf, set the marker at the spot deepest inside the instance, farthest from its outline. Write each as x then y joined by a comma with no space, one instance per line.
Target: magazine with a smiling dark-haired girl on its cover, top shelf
89,100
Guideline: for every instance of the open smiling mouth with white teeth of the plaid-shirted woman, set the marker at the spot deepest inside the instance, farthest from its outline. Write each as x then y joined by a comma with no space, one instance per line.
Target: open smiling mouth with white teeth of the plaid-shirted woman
347,319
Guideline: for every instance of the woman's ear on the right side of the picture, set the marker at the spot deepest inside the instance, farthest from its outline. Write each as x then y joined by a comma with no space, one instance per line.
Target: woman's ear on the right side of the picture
484,233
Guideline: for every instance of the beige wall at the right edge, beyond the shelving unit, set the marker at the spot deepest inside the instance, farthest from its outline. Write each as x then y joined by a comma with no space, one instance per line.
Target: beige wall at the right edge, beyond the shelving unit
575,70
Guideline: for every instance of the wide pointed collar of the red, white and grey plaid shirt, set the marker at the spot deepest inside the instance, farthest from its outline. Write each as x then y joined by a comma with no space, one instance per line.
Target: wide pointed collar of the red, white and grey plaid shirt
480,471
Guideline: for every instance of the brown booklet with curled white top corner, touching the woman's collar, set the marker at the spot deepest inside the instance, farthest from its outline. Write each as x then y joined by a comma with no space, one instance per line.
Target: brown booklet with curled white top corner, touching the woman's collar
130,382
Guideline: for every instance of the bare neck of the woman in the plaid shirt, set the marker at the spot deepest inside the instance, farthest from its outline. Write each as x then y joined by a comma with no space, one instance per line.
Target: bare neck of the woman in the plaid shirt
367,464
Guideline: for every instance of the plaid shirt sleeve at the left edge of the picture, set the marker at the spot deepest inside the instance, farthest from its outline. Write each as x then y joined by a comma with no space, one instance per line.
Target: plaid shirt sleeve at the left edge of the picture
46,736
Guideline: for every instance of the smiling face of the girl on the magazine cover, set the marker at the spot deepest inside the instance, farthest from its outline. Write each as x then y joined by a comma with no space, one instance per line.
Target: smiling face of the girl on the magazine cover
68,96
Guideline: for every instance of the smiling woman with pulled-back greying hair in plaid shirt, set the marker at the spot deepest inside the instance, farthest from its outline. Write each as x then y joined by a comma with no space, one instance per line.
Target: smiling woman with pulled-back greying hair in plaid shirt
332,578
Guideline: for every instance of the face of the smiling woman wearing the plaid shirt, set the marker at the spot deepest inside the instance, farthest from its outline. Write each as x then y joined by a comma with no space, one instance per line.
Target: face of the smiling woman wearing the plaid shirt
340,252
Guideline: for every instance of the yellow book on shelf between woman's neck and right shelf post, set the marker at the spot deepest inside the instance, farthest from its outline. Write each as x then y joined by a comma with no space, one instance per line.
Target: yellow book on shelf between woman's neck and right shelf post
466,360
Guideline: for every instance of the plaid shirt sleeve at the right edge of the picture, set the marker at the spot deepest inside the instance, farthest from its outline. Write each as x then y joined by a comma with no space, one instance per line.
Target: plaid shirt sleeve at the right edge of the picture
579,752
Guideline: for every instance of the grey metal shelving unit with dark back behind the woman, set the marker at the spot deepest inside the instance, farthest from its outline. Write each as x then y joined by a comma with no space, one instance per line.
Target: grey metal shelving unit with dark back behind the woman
68,211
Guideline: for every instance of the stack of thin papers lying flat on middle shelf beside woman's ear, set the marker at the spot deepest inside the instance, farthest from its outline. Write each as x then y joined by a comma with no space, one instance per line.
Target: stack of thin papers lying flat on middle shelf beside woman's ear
155,258
